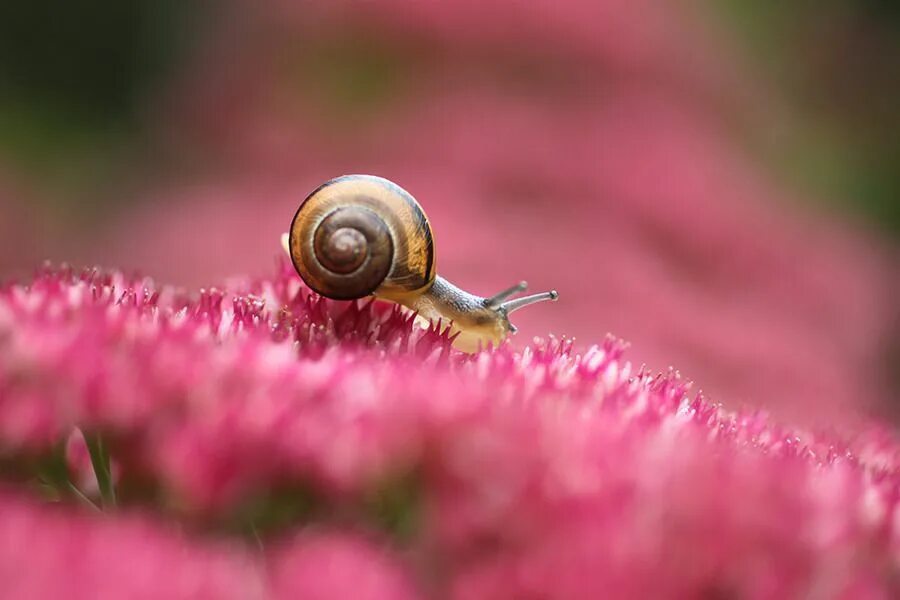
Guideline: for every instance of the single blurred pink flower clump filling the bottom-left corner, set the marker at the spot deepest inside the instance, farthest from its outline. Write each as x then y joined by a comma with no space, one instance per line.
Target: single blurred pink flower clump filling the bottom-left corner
46,553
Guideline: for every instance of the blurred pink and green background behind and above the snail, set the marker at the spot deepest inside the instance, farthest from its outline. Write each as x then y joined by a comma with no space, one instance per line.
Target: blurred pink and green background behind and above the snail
716,182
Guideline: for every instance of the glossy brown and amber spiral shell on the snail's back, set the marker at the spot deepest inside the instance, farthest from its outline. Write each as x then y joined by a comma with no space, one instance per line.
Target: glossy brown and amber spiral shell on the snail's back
358,235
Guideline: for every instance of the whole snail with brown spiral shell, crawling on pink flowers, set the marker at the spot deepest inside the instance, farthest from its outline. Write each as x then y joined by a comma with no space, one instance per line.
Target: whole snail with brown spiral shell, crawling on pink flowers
361,235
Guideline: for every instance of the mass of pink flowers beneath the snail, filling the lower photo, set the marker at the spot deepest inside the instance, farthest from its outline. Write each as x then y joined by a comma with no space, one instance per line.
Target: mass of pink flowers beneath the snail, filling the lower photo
269,443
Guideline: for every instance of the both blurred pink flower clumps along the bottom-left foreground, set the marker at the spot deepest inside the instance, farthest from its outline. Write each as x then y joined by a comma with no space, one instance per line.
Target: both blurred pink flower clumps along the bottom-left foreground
46,553
